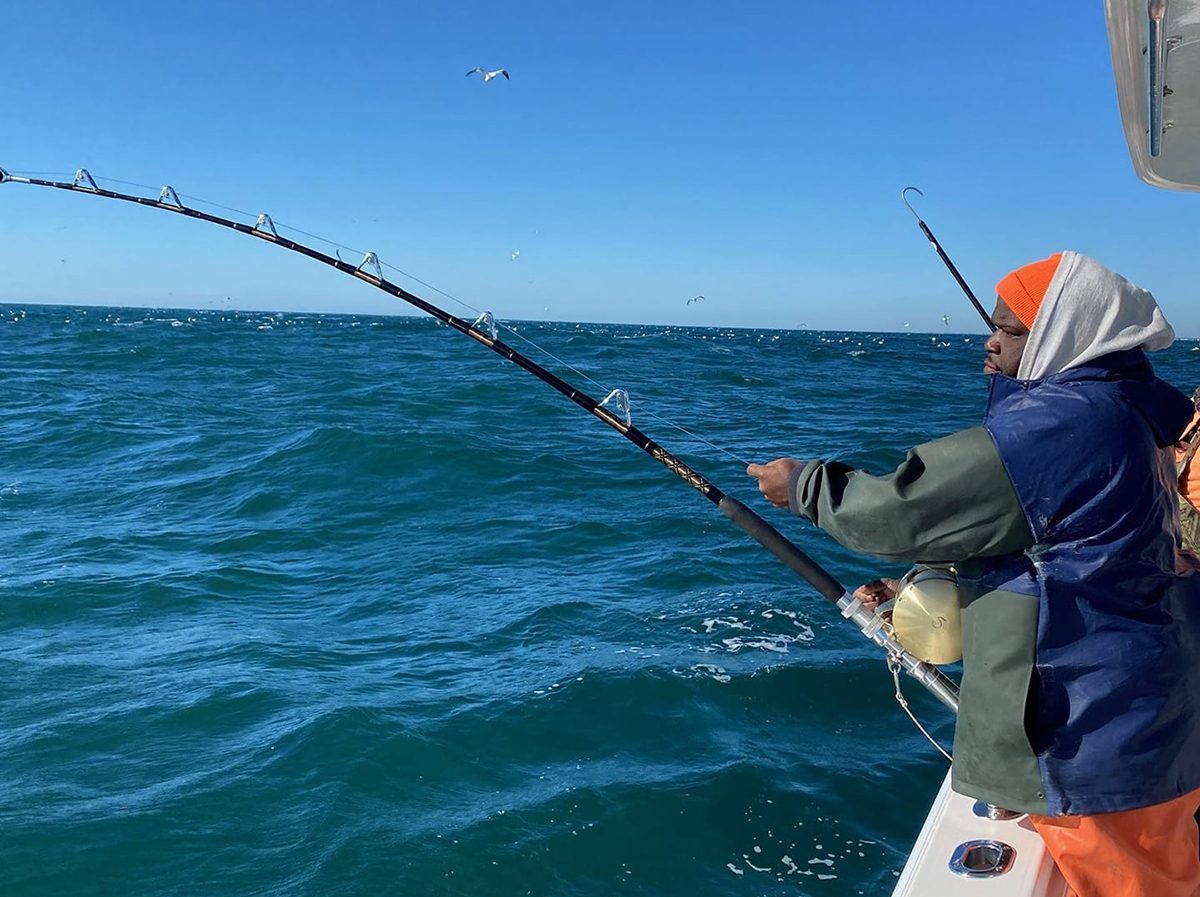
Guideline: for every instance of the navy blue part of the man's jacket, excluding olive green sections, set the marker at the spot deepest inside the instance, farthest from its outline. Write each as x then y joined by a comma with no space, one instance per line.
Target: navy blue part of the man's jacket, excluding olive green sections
1117,720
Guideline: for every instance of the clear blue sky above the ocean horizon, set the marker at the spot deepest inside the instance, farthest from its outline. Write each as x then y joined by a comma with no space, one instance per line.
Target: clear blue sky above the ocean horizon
643,154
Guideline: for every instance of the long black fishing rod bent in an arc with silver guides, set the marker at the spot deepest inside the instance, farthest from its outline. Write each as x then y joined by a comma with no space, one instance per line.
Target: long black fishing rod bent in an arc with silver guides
484,332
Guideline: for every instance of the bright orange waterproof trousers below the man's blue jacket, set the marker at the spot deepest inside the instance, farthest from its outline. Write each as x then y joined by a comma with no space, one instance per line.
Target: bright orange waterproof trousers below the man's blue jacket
1154,852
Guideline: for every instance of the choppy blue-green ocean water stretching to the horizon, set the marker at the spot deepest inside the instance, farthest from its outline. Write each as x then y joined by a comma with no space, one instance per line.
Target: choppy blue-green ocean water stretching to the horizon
319,605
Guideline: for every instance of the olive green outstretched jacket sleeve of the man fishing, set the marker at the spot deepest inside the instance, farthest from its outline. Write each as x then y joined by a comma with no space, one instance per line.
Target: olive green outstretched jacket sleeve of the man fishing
950,499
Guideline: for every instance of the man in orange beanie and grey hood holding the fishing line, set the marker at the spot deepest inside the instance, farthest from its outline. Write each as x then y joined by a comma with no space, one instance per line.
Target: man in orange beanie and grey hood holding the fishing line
1081,694
